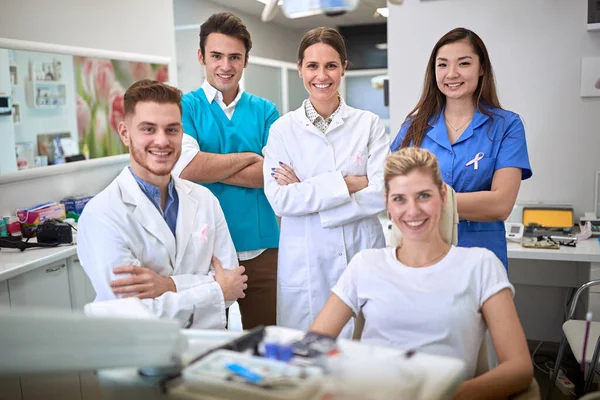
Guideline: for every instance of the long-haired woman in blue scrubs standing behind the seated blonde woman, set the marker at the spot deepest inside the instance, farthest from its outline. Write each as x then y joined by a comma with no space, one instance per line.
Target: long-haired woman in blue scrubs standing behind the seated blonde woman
480,147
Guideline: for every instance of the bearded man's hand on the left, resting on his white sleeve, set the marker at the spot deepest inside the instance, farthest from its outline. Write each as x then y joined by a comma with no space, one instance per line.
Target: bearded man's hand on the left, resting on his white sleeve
143,283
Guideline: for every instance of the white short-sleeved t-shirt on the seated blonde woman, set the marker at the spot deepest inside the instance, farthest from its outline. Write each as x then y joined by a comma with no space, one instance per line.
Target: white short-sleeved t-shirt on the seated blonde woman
435,309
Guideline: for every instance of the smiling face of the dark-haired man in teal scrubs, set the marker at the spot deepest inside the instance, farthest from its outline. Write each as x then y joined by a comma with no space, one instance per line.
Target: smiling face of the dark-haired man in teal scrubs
225,59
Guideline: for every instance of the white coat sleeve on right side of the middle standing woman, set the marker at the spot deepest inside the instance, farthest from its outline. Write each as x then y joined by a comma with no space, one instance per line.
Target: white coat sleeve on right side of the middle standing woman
370,200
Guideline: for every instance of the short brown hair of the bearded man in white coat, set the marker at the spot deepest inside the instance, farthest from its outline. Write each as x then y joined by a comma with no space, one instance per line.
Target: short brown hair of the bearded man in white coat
149,90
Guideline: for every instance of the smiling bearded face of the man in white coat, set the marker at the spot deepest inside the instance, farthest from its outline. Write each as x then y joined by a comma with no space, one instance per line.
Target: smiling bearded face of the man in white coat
153,134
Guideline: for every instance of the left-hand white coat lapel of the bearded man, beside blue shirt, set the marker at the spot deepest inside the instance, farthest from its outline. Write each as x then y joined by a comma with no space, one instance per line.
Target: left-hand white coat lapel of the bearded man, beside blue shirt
145,213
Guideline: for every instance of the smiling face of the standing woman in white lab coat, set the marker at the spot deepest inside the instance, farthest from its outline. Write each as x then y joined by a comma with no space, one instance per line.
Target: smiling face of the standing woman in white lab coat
321,71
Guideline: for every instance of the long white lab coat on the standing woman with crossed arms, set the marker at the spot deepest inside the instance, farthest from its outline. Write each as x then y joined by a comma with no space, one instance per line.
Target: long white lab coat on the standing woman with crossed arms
322,225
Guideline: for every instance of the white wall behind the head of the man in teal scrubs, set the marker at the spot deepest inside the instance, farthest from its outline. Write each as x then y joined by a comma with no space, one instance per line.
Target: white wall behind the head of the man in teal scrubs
268,40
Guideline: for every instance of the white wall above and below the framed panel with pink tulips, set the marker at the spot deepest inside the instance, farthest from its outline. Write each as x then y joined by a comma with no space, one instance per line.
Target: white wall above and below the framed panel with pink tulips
134,26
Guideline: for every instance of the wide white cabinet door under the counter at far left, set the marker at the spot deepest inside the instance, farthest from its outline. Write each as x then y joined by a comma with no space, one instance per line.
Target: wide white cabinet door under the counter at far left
46,286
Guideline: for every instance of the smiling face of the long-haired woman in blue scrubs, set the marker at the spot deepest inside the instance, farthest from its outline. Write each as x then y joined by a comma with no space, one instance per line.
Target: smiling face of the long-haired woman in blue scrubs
457,70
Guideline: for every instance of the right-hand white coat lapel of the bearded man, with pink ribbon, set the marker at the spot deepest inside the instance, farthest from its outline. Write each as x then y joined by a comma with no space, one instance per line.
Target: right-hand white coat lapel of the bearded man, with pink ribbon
186,219
